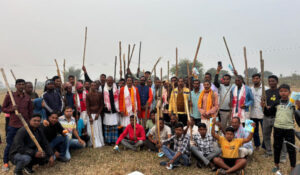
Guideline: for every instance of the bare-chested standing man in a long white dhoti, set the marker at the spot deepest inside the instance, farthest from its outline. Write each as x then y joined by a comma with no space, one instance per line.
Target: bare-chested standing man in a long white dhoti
94,106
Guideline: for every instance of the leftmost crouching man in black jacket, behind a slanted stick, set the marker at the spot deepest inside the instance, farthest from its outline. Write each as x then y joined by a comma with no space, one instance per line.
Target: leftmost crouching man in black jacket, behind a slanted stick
24,153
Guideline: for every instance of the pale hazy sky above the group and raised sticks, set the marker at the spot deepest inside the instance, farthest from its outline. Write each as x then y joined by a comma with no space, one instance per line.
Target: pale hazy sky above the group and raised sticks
34,32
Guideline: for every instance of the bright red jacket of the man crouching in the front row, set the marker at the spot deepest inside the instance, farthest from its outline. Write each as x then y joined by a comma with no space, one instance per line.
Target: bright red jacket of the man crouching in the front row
140,133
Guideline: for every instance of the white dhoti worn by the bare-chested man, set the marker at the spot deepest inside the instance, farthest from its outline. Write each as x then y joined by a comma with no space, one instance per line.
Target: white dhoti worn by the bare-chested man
98,135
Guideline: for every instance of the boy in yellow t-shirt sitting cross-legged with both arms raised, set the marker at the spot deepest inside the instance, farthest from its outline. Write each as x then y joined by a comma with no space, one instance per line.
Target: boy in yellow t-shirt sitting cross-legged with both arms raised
230,161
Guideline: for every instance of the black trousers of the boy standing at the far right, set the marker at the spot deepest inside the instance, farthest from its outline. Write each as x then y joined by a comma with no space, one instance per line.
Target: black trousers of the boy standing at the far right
279,136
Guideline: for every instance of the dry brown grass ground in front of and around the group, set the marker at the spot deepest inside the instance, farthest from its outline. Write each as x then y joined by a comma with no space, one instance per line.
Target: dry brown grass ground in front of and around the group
105,161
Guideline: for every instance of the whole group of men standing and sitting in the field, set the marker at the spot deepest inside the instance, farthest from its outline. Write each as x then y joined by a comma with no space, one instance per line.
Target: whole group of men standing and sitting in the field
176,119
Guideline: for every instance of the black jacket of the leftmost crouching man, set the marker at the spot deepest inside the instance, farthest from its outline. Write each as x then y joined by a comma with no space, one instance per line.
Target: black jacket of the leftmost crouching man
24,145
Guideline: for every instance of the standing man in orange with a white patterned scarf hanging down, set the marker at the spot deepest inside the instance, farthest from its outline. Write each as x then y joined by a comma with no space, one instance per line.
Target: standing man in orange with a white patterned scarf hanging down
129,102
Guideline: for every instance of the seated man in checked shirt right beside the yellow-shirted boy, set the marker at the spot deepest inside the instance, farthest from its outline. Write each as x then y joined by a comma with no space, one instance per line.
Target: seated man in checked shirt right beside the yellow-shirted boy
204,149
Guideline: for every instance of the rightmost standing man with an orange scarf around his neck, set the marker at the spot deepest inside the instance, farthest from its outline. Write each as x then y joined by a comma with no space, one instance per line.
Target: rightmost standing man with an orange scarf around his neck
208,104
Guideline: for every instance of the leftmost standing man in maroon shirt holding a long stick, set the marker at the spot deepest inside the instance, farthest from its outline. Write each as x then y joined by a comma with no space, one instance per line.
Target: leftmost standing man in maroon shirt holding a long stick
24,106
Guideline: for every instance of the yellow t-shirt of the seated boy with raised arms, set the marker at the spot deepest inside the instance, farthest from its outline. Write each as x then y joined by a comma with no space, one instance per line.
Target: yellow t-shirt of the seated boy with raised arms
230,149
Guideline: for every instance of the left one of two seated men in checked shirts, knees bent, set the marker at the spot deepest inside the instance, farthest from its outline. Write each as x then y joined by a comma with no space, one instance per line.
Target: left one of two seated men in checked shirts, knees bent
181,148
